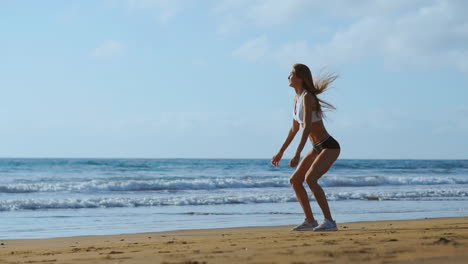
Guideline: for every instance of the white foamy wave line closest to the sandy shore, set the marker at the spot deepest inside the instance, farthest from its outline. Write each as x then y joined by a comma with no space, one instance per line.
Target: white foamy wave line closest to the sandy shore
113,202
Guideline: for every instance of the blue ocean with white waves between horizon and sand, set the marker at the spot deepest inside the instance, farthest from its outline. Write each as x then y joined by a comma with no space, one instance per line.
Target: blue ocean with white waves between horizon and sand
44,198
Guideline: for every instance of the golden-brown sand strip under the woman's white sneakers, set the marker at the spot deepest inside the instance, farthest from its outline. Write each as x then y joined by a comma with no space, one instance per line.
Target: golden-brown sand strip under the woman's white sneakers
437,240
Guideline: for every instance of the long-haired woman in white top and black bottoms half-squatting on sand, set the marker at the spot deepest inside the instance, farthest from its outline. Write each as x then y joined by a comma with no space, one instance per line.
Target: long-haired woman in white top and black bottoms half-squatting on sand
308,113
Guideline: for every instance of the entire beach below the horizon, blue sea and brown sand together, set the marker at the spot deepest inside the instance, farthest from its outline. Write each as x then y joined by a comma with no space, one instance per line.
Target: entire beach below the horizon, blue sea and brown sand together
229,211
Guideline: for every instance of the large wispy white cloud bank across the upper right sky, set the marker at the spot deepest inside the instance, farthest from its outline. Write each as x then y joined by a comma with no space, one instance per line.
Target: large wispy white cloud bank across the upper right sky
415,34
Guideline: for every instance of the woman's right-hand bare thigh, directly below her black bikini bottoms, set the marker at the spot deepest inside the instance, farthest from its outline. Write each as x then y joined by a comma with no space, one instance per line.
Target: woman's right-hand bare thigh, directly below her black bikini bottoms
321,164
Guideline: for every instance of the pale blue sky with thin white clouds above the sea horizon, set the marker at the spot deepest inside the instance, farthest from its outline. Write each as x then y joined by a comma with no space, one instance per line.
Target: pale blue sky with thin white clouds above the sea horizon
208,79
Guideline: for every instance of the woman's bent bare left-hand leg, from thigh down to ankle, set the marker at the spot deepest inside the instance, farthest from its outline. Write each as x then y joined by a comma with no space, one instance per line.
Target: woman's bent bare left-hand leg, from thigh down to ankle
297,180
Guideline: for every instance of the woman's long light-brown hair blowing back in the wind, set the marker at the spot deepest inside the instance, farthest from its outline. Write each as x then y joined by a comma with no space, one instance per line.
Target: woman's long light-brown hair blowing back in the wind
321,84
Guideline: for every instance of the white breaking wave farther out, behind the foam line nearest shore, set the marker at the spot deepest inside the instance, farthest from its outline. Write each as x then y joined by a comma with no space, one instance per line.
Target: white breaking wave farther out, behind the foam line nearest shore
207,183
